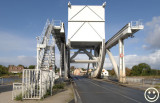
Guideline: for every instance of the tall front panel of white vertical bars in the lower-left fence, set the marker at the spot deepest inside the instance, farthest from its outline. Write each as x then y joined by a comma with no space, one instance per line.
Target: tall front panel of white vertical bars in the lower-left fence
31,88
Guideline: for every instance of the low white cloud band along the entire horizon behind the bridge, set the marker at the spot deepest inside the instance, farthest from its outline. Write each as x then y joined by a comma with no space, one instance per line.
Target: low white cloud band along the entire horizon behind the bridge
153,59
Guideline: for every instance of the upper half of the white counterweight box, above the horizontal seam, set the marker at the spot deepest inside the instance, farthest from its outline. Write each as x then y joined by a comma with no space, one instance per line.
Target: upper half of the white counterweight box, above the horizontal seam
86,13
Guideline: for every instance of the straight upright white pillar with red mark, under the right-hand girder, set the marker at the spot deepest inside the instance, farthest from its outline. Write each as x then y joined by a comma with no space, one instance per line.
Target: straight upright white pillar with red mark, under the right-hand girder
122,71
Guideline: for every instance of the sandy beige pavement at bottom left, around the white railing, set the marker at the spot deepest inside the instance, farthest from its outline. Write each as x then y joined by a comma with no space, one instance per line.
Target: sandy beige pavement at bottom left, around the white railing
66,96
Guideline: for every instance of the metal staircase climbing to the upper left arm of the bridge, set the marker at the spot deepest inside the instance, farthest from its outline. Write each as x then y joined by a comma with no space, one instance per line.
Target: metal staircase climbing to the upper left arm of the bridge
46,49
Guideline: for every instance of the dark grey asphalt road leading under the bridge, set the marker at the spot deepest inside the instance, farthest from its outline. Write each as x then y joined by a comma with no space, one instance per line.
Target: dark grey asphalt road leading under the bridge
93,91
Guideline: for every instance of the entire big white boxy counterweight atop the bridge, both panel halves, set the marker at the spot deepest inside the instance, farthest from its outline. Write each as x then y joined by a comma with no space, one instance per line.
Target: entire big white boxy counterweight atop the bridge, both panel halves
86,24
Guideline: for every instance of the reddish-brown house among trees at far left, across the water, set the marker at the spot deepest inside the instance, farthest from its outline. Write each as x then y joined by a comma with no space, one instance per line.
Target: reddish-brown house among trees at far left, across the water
15,69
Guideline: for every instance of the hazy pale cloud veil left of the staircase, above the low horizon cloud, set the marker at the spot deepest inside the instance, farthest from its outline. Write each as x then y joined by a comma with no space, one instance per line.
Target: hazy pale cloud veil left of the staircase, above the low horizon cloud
11,42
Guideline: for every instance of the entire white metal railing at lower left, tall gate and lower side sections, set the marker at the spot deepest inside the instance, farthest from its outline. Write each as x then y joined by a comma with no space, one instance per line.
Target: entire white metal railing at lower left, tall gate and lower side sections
35,84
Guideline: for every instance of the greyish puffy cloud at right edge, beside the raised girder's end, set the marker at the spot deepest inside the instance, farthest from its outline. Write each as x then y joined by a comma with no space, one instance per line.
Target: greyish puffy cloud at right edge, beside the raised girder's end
153,31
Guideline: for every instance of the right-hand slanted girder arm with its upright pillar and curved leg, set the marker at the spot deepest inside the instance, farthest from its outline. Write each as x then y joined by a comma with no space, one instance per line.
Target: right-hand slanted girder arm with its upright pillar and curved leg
127,31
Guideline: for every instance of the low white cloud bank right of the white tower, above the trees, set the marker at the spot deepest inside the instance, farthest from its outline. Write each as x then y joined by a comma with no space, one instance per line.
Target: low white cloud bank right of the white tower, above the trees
152,59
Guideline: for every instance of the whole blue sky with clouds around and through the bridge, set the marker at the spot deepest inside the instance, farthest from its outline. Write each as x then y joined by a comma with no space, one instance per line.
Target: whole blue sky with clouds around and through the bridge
21,21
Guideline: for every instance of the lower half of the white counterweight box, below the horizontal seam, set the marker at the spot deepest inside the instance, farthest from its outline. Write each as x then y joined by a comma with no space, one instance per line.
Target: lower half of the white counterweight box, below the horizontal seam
86,32
